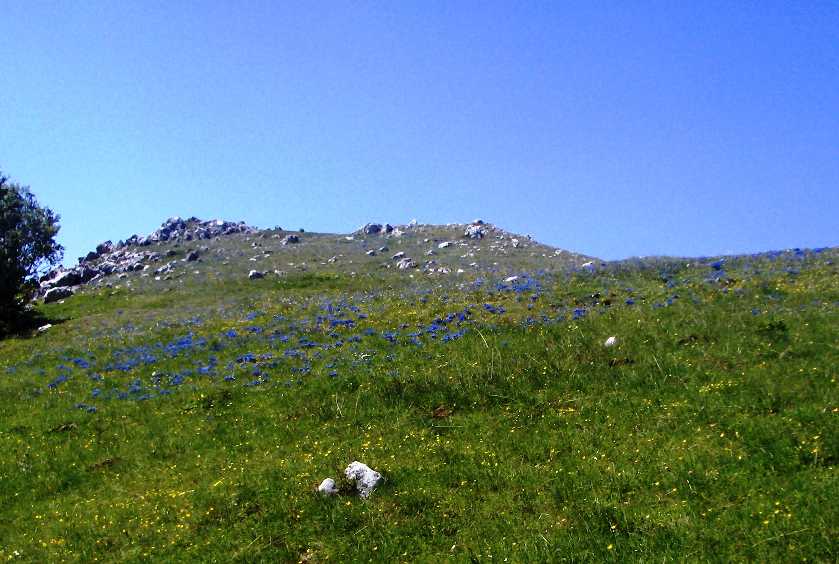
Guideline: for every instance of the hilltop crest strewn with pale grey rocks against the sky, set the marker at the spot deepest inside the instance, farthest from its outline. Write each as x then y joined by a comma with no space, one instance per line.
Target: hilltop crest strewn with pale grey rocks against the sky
235,247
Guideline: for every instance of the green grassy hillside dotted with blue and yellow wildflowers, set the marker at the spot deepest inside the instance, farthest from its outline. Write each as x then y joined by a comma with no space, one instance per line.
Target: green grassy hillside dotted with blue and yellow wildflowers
191,419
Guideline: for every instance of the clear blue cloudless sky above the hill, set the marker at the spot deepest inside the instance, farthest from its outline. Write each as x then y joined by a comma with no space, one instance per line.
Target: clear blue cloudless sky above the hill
613,129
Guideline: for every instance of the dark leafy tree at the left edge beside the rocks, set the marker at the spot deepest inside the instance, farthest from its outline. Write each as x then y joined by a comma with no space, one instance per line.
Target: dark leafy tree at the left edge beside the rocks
27,246
